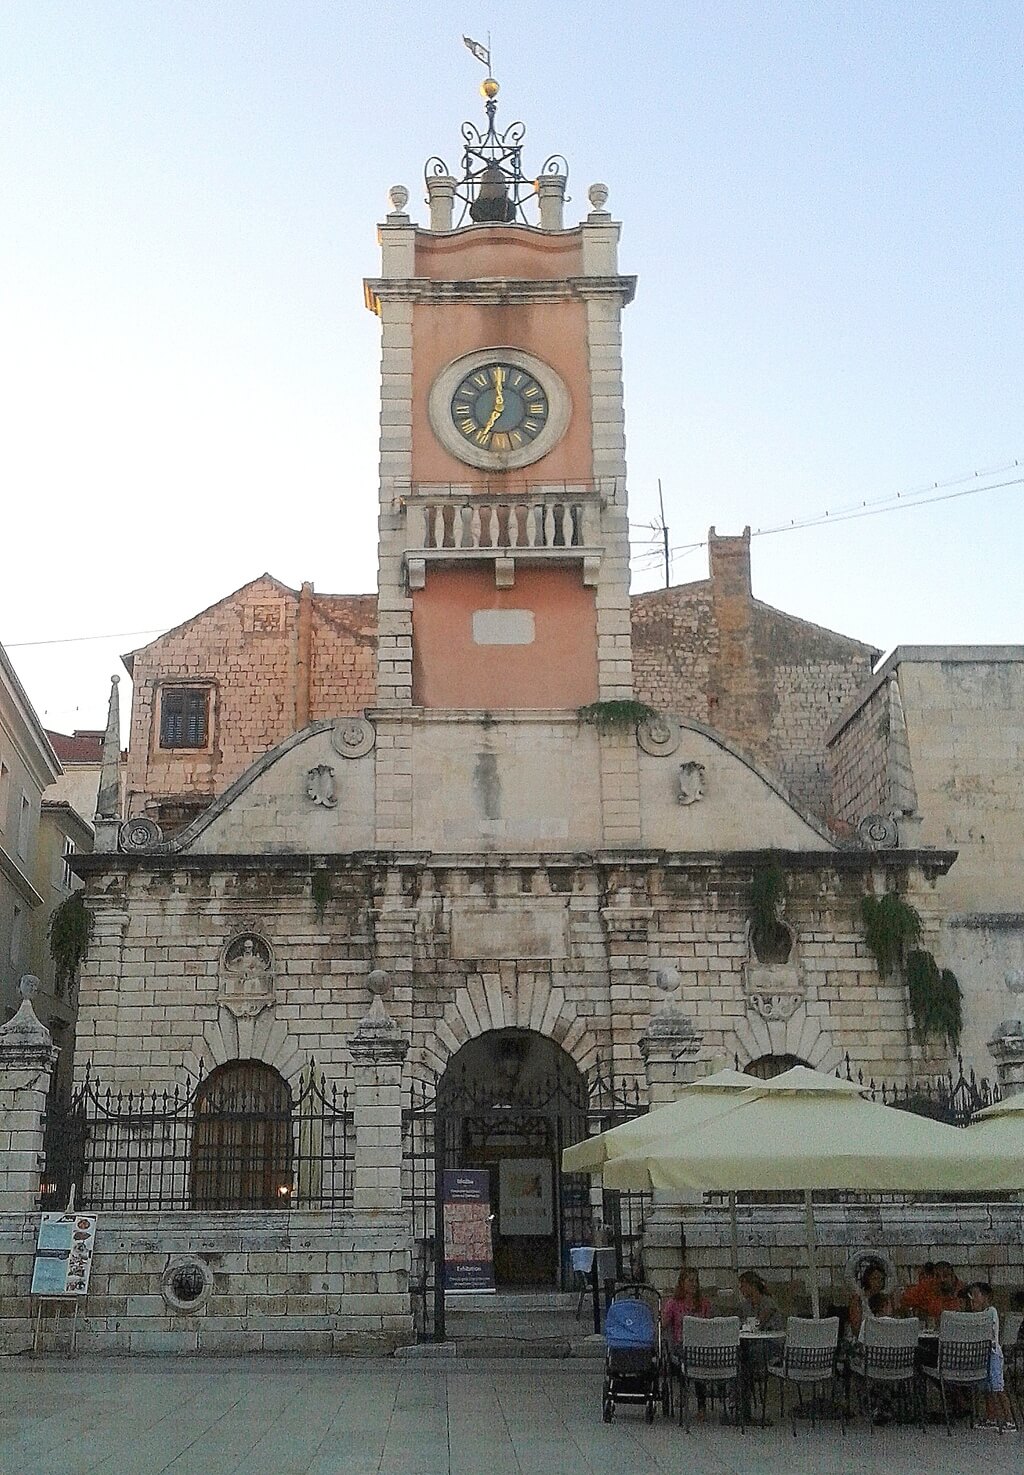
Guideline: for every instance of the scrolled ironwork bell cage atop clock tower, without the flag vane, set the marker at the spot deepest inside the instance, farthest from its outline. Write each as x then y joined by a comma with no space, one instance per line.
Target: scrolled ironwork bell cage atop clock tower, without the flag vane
492,188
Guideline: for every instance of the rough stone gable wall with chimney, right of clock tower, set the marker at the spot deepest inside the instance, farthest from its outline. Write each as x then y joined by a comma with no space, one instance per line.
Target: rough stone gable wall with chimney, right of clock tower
772,684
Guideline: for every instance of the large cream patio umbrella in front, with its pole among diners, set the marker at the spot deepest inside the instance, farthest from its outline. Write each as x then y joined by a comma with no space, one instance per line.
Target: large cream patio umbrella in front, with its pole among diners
803,1131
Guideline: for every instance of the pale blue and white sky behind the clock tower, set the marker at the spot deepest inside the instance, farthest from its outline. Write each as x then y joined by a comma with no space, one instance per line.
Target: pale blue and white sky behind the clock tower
823,204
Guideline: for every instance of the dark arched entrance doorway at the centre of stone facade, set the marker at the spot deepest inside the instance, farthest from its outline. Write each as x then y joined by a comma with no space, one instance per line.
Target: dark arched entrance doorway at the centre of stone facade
508,1103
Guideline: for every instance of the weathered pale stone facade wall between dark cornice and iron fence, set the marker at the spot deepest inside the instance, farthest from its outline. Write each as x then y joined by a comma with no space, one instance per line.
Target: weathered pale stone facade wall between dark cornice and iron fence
563,948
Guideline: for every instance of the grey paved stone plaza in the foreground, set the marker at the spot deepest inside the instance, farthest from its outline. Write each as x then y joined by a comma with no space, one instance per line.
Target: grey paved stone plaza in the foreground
386,1418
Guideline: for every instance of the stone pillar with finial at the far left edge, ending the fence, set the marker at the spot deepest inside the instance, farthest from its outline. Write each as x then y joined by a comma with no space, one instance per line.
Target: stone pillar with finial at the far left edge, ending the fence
27,1058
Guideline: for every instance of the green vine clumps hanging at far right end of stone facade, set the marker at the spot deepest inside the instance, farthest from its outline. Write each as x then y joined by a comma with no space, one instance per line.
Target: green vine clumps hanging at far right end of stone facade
892,930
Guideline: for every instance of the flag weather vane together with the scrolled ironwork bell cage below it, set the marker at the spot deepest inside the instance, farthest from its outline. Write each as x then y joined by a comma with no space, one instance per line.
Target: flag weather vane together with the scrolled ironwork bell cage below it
494,188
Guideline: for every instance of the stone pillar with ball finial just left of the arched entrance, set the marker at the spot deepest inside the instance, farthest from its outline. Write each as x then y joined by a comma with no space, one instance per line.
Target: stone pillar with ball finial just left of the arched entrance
378,1048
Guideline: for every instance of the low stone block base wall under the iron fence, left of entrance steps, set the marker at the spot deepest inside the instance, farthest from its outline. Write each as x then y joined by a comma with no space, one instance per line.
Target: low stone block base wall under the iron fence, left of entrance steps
312,1283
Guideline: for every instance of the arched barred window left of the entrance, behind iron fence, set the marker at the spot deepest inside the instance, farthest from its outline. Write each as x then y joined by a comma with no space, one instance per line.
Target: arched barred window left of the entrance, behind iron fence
243,1139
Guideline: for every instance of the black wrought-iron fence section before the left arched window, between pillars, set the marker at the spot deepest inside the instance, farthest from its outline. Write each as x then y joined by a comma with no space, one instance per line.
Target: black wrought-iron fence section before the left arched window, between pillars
240,1139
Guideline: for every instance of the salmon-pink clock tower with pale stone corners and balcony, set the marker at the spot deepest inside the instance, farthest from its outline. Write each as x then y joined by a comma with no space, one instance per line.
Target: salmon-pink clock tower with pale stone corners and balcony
504,529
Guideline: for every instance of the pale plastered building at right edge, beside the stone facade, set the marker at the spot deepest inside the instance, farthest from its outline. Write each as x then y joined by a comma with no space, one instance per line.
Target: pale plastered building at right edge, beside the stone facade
938,741
